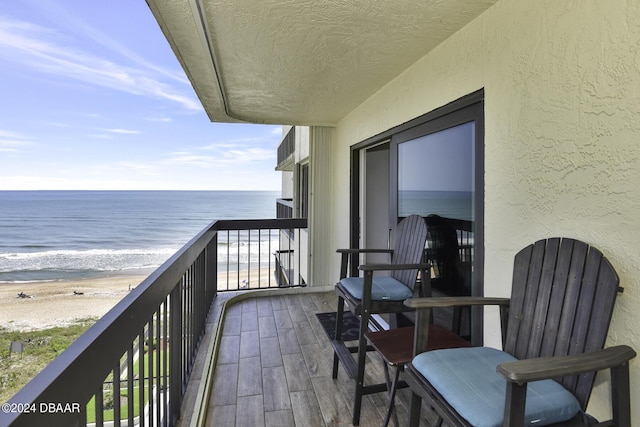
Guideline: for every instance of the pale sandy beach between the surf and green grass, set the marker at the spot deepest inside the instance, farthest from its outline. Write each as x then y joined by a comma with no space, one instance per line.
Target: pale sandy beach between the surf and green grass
60,303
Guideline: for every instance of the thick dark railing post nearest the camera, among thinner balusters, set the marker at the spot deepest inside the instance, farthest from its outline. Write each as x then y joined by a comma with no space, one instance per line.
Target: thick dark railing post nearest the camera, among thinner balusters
175,352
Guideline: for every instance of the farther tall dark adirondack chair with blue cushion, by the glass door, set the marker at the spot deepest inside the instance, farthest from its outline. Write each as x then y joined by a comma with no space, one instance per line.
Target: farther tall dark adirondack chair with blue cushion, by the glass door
369,295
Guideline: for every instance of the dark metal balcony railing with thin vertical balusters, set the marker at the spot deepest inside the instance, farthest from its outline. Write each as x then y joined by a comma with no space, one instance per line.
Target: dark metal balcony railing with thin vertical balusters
133,365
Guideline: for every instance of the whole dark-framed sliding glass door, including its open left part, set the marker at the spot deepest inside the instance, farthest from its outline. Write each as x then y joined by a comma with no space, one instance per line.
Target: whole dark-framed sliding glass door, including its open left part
436,170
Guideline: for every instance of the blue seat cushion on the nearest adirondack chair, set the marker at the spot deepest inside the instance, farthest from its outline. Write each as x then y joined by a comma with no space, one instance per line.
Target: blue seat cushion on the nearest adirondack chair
468,380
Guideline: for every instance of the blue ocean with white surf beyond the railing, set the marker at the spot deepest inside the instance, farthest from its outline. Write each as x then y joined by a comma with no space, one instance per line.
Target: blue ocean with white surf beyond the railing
68,235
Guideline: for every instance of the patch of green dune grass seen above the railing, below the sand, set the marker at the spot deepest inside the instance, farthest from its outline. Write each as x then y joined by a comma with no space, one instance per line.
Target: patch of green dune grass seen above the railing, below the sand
39,349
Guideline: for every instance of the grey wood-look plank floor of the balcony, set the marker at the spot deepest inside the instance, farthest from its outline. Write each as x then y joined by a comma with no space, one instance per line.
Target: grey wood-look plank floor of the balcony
274,369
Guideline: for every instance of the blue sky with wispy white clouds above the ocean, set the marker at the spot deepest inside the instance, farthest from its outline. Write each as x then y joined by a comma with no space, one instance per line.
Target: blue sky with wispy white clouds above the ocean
92,97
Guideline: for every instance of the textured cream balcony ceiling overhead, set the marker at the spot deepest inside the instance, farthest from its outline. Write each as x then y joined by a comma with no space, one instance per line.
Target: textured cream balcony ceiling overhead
307,62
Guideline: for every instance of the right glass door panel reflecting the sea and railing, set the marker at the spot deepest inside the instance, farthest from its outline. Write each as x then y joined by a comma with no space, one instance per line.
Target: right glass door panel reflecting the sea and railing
437,171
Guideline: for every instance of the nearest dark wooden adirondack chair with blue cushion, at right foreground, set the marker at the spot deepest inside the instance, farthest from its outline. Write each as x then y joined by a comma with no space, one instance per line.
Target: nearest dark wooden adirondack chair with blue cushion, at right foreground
556,321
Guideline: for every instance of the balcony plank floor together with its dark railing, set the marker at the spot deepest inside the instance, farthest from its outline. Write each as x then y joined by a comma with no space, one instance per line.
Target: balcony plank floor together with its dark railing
193,344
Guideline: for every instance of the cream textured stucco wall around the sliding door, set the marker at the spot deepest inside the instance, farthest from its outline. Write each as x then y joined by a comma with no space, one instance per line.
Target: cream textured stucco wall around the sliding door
562,139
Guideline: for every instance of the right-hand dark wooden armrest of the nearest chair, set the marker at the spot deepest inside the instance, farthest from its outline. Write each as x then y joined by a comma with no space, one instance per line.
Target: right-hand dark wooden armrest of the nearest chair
523,371
